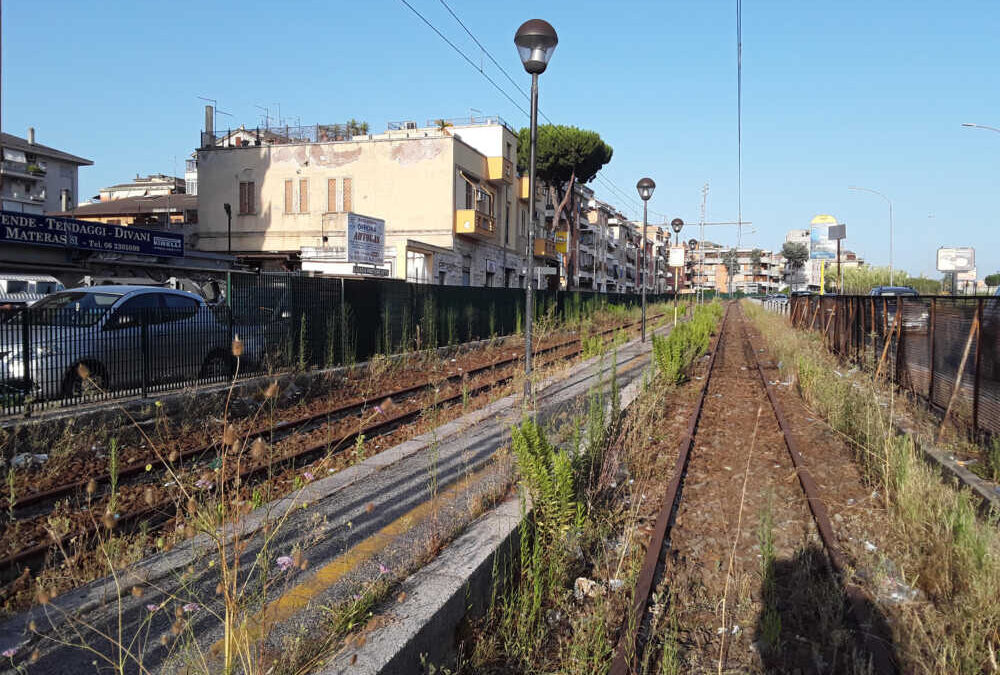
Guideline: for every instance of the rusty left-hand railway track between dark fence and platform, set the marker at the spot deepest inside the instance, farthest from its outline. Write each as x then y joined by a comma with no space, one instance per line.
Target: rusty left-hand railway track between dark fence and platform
152,516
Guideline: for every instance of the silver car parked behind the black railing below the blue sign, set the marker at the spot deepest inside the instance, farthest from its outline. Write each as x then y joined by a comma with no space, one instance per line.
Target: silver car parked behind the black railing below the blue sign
124,337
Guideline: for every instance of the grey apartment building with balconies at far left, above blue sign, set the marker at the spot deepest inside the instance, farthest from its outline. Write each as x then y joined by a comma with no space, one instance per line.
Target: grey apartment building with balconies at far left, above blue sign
36,178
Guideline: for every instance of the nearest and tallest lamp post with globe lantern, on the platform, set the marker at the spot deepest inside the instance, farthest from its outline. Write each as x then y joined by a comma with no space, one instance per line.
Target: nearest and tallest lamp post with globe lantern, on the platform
536,40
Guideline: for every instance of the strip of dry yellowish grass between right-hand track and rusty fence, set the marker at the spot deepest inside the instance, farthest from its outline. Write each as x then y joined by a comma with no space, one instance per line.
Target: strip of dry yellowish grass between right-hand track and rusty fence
934,535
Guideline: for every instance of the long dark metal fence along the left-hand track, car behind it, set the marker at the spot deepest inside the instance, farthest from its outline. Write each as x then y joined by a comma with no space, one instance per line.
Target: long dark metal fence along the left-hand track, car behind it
87,346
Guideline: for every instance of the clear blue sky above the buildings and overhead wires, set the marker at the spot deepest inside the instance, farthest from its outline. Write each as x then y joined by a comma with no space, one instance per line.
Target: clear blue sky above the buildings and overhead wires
870,93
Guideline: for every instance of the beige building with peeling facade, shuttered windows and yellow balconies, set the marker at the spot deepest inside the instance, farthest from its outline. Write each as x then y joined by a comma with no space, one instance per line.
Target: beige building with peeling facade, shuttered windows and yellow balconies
455,211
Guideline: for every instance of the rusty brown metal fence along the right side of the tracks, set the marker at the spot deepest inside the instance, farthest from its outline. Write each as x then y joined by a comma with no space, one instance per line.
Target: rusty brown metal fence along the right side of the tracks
946,350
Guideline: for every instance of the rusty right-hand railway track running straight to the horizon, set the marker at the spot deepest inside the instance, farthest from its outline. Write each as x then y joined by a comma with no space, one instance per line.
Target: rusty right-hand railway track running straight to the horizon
629,651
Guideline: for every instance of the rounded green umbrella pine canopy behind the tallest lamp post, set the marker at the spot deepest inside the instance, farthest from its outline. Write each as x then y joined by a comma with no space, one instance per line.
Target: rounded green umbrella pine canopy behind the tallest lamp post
563,153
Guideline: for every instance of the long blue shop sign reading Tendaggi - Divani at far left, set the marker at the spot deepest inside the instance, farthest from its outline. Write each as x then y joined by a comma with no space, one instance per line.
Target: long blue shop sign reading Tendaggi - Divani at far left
28,228
